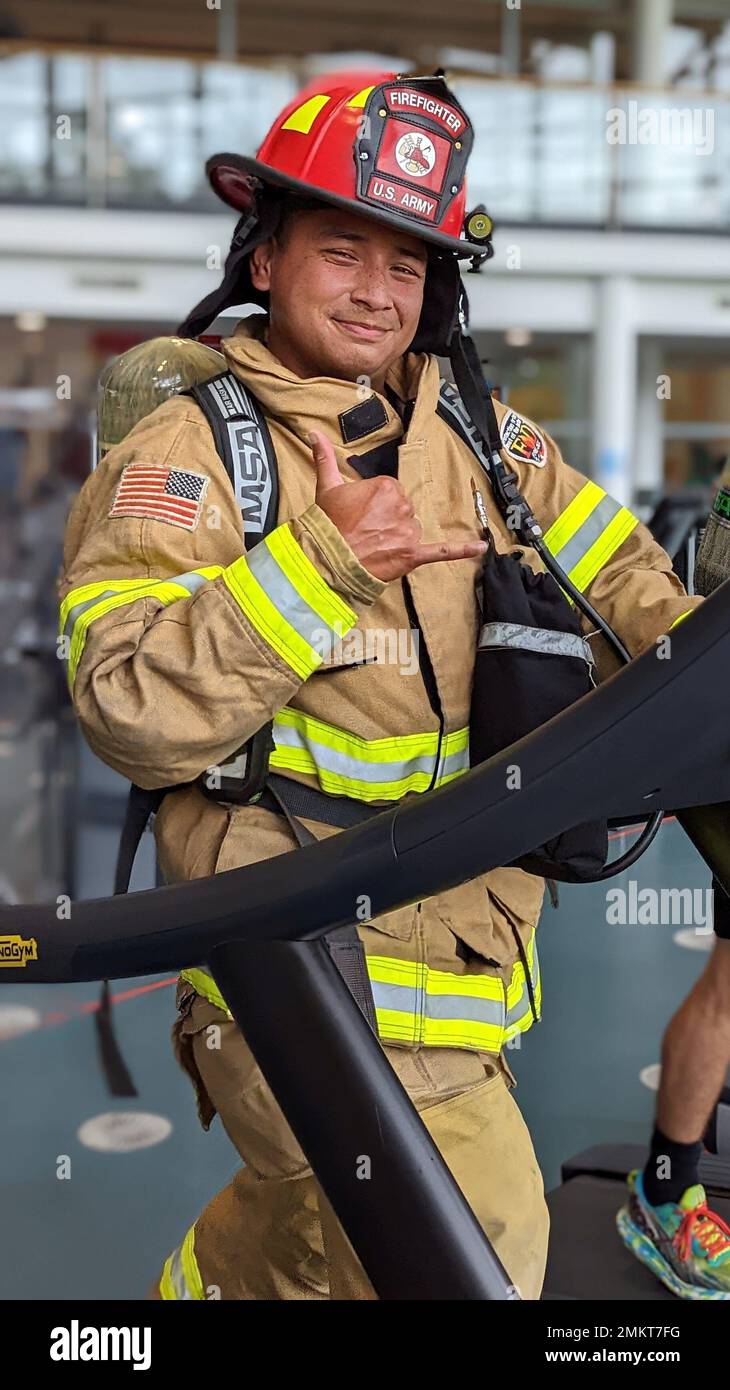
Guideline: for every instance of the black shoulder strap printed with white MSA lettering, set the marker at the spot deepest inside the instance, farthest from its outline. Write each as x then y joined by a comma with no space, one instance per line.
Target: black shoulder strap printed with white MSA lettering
244,444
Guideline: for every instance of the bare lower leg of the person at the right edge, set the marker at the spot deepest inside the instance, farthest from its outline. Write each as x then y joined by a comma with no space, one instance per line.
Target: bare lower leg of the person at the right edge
696,1053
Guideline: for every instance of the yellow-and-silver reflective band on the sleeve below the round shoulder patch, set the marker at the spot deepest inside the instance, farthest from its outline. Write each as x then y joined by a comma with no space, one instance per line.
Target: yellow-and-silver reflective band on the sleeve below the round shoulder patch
587,533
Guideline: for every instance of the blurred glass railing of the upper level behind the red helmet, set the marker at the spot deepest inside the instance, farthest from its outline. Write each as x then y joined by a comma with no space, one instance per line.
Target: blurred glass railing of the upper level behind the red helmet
136,133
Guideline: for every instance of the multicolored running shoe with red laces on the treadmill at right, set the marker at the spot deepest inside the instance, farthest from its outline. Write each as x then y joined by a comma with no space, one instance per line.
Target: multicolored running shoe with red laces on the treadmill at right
683,1243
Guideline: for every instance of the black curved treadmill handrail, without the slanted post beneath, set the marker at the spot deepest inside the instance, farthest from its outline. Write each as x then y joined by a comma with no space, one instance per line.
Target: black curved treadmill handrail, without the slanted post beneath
656,735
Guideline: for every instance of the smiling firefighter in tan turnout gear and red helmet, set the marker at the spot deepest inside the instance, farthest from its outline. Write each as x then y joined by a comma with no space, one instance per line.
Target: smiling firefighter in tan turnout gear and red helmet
184,646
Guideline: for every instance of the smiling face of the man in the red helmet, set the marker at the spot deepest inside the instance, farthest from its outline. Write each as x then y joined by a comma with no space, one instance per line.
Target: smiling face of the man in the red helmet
346,294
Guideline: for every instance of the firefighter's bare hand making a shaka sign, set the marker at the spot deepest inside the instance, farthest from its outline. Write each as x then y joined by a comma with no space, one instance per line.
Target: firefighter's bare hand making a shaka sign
378,521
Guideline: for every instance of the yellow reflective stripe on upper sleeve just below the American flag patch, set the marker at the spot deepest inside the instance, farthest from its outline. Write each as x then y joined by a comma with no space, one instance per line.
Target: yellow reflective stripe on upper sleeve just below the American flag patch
87,604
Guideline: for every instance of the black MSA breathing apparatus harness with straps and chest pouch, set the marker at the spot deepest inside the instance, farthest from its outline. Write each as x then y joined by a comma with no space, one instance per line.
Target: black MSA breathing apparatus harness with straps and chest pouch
532,658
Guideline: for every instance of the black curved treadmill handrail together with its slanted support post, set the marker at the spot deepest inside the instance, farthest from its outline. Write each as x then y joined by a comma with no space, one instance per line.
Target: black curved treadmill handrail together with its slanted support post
654,736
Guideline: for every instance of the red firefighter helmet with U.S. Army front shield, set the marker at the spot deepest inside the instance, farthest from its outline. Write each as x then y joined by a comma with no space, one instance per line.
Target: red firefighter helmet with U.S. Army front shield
383,145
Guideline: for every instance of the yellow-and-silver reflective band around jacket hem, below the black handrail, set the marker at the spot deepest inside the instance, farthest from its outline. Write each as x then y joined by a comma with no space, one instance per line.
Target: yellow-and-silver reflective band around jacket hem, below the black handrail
433,1008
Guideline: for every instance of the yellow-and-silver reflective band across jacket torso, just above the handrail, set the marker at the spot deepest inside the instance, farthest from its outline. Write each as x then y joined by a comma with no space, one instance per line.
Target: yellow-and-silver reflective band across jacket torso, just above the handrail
376,769
